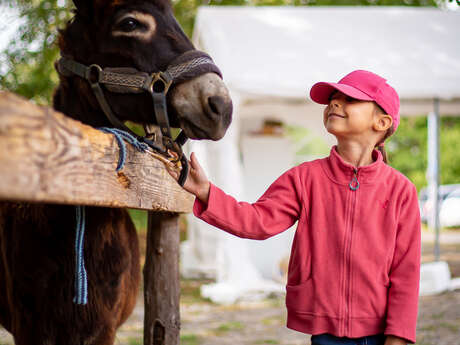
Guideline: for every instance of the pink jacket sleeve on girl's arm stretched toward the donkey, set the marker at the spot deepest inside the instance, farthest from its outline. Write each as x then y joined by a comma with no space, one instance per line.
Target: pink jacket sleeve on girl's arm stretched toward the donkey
275,211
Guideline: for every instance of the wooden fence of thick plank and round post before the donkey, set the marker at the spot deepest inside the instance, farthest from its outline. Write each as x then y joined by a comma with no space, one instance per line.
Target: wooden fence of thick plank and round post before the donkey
50,158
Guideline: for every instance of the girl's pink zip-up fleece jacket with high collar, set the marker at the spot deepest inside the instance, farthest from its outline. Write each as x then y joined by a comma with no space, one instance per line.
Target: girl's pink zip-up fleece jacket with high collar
354,268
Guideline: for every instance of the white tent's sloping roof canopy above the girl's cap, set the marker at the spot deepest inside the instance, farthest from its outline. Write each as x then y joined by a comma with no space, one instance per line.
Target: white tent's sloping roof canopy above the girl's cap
283,51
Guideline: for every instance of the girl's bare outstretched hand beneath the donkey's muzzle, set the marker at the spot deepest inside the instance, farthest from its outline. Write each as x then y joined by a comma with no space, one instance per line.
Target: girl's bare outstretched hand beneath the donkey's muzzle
196,183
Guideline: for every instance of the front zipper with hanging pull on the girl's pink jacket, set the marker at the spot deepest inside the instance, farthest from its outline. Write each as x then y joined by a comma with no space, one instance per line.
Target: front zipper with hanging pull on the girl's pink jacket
354,186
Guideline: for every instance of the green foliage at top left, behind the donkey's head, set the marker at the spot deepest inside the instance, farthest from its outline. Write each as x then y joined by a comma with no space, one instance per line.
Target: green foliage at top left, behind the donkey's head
30,55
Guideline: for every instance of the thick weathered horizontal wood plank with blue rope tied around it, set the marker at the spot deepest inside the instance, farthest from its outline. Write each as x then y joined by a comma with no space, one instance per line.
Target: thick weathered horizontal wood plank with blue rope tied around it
48,157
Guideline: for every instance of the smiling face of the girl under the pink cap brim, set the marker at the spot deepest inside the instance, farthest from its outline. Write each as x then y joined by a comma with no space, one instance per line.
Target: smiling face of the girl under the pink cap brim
347,117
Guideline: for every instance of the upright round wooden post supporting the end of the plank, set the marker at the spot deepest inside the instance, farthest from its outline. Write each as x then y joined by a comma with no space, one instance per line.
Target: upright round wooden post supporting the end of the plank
161,280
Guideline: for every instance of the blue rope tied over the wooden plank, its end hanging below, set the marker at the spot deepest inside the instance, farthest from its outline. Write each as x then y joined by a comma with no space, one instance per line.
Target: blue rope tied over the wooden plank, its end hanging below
81,281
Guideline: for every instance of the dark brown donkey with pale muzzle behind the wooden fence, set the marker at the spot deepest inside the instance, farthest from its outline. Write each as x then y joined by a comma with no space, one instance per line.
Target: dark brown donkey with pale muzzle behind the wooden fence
37,259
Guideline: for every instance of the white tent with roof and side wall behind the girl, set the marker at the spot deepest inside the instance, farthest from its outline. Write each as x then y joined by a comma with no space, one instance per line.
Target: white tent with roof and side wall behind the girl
270,57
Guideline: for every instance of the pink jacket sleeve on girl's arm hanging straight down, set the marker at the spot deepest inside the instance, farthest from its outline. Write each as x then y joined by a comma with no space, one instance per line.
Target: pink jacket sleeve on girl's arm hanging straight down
405,272
